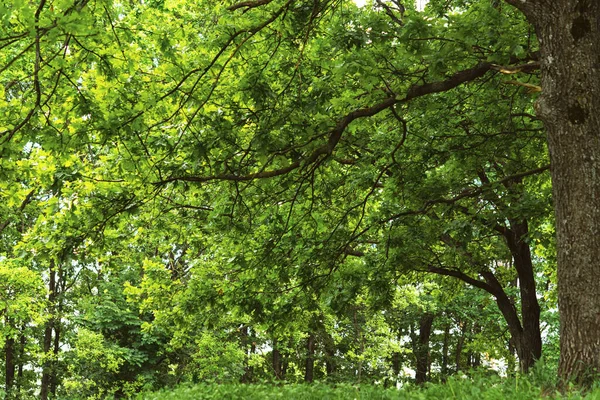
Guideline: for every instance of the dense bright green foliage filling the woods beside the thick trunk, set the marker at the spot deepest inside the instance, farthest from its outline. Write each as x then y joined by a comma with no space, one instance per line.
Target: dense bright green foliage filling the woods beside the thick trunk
203,192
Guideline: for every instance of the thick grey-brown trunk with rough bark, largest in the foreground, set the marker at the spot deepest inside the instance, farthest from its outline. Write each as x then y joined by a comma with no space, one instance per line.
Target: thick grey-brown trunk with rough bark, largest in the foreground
569,35
